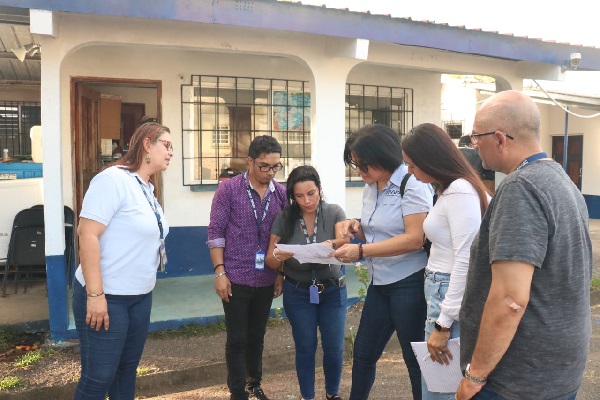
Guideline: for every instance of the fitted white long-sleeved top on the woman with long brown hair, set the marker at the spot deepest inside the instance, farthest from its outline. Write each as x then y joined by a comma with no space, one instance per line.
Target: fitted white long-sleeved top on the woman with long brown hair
451,226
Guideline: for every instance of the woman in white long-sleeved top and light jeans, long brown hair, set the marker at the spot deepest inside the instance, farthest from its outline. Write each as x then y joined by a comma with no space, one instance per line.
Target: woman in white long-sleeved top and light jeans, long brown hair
451,226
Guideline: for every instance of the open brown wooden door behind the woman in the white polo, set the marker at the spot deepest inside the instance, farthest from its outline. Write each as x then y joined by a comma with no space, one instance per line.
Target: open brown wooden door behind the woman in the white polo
88,158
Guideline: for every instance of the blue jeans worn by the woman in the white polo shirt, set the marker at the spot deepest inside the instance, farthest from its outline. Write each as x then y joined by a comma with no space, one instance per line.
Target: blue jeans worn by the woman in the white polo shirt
109,358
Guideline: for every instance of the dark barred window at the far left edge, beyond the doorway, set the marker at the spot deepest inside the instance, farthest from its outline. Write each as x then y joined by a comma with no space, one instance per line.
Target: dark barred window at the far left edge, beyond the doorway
16,120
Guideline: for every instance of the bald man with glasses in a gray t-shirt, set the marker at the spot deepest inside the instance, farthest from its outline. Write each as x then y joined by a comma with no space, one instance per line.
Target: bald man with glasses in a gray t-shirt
525,317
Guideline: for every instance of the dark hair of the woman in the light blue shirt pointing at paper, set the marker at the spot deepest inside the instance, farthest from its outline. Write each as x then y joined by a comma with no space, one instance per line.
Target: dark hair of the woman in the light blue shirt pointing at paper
375,145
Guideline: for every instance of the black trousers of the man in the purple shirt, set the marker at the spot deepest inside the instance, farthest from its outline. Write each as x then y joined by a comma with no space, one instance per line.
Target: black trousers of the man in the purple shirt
246,317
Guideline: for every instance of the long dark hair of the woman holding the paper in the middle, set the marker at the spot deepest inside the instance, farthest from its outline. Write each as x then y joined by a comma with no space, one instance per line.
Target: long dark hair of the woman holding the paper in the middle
292,212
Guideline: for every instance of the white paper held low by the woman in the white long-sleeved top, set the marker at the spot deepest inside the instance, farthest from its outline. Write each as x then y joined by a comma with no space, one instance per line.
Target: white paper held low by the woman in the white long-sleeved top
439,377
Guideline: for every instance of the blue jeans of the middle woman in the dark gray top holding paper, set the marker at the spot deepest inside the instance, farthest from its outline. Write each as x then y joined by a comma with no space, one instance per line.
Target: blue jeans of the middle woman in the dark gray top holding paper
330,316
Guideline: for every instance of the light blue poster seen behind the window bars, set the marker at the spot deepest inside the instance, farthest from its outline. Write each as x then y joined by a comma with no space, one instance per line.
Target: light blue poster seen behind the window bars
291,111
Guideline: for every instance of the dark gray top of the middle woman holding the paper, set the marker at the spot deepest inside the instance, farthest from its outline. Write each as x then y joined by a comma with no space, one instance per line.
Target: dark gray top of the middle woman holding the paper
329,215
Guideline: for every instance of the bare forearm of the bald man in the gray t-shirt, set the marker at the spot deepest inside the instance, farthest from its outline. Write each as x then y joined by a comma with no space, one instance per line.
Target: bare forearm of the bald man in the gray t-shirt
506,303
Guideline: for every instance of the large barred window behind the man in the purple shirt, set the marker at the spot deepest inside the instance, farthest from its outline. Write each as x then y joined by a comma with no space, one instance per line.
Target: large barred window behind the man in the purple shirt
222,115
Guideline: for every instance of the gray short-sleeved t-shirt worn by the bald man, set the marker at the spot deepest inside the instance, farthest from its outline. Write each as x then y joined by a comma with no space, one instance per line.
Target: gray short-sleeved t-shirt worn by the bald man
539,217
